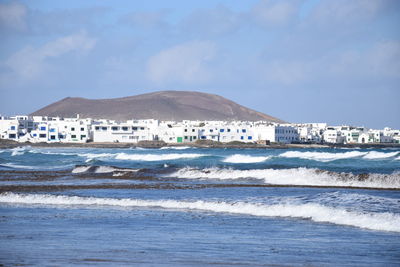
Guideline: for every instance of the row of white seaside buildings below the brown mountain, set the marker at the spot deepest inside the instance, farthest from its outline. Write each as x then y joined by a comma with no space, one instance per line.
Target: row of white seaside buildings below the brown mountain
39,129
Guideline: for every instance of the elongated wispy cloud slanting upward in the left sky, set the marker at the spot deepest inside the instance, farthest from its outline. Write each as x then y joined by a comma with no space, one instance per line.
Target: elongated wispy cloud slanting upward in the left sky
30,61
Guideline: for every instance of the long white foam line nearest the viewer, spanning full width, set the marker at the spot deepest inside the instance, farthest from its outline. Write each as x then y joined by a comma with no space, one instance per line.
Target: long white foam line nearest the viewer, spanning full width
312,211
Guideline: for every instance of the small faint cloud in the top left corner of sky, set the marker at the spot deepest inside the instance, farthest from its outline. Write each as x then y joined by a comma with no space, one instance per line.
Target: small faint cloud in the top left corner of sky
13,16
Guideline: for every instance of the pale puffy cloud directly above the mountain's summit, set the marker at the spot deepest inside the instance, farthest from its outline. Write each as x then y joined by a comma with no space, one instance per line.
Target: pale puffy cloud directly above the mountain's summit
185,63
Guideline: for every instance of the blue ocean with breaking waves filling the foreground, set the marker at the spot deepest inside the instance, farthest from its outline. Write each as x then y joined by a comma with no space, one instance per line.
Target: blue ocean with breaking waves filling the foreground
187,206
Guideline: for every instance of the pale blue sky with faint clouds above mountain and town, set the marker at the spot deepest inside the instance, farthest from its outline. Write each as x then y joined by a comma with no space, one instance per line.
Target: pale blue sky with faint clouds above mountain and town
334,61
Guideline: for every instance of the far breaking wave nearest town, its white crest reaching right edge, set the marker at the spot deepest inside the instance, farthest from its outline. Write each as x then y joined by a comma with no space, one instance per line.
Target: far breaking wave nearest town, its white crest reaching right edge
326,156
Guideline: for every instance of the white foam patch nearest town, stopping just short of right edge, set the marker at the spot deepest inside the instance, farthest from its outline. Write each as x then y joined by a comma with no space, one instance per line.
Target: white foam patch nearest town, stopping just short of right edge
322,156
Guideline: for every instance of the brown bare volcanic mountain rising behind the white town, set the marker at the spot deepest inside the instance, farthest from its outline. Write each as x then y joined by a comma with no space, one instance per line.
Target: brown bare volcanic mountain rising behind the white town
163,105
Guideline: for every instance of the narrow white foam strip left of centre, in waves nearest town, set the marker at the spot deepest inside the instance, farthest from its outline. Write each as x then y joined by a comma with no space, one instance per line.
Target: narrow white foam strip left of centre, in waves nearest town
156,157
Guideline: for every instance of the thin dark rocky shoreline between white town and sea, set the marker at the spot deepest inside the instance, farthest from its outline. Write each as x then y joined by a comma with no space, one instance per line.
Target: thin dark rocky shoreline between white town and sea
4,144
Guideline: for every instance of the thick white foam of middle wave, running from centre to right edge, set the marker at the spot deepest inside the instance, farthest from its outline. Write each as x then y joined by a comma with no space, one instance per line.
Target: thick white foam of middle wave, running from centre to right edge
294,176
